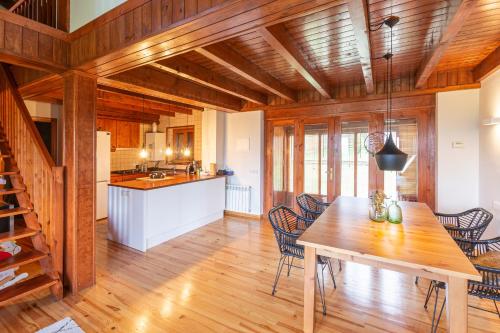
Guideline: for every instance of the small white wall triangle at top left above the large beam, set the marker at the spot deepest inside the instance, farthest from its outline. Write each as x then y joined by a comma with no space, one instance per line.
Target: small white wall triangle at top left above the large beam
84,11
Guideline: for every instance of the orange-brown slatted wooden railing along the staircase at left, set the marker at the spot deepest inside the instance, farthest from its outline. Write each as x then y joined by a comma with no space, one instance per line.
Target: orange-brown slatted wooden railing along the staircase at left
43,179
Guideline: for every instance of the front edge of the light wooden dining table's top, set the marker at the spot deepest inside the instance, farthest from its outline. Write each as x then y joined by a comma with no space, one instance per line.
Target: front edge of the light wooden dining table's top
437,270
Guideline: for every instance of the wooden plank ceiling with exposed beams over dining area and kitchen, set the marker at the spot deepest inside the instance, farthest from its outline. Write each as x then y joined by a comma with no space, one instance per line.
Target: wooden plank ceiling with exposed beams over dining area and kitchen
328,52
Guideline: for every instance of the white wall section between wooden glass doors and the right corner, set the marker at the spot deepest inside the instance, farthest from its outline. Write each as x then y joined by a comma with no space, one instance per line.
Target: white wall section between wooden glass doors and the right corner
457,169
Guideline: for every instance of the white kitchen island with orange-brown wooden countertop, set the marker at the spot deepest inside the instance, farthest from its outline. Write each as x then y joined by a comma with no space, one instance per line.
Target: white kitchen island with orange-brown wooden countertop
146,212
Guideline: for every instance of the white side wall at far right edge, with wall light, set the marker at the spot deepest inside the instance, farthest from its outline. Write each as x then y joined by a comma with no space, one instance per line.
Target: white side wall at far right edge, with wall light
489,151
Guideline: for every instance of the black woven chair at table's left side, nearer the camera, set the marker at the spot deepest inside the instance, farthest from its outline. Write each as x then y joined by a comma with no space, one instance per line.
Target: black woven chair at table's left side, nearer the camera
288,226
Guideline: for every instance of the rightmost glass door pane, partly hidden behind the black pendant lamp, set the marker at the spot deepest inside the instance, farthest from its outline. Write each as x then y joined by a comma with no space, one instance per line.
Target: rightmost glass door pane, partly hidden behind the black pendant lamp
403,185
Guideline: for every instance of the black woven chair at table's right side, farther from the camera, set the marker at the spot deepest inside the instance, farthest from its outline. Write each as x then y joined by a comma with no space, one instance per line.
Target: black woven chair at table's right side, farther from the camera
470,224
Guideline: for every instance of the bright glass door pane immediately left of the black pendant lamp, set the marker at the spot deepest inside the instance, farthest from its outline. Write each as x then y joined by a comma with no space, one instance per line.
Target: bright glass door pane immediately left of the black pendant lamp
354,159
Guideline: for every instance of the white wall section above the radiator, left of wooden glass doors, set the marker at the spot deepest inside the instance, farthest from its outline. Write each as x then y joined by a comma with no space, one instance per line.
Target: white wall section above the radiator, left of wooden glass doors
244,150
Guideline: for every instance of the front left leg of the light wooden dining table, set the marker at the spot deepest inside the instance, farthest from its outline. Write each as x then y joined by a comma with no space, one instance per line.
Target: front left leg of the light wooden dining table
309,288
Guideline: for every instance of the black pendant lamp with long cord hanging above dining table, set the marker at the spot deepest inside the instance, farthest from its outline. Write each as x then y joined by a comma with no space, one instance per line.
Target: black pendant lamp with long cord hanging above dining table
390,158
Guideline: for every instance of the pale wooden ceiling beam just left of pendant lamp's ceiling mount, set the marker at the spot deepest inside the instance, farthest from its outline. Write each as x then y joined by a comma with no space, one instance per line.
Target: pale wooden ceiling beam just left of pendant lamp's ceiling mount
358,11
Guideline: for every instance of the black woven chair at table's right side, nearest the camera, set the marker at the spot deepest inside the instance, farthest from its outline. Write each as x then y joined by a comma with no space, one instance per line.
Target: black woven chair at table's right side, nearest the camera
482,254
